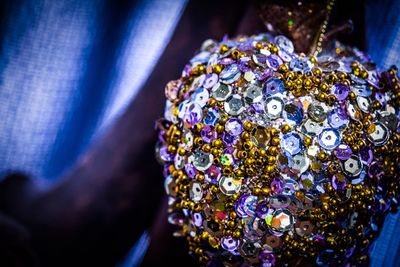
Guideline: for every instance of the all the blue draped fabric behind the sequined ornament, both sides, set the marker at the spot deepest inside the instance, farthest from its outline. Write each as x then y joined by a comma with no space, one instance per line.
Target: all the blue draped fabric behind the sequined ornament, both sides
69,68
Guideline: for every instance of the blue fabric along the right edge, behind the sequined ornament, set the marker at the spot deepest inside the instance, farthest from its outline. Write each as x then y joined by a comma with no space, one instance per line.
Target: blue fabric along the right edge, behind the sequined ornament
383,41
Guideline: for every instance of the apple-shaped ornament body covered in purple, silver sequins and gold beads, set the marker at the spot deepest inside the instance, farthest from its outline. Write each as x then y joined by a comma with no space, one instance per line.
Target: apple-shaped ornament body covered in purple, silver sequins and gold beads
272,158
